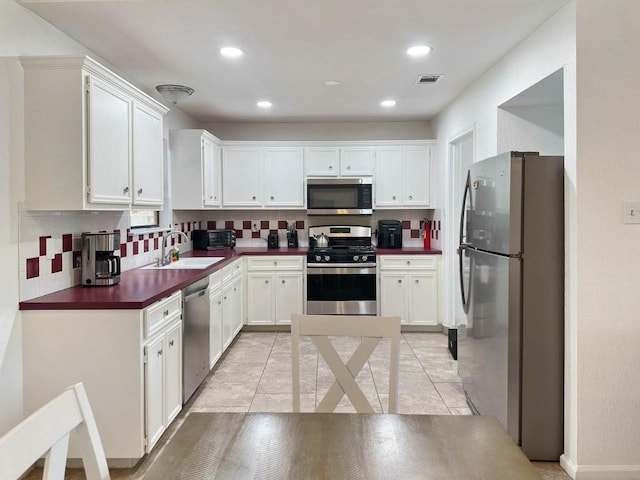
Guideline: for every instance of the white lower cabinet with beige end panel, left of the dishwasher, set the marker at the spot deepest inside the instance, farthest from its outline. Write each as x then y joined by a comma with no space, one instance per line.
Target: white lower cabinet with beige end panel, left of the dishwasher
130,362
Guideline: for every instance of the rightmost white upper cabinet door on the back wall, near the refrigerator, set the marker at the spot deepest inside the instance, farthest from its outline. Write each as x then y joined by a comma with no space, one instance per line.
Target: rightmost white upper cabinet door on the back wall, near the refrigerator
416,181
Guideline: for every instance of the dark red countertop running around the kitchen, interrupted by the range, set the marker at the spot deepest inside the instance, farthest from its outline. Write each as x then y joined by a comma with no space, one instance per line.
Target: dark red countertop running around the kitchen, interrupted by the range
139,288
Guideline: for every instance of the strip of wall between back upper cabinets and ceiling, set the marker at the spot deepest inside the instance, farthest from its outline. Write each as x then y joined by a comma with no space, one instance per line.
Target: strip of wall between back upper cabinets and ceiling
322,131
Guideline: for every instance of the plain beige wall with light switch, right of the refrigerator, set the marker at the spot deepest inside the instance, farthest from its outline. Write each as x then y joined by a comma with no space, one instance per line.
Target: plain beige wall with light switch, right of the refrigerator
607,334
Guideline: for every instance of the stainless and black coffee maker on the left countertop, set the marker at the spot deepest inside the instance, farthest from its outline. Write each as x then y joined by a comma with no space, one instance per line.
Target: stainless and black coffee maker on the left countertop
99,264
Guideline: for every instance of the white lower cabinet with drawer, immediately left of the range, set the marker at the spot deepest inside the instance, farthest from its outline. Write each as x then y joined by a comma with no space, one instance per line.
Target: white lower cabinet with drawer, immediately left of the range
275,289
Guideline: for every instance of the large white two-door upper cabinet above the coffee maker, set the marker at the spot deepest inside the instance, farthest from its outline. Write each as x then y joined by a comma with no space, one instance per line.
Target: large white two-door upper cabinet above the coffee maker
85,129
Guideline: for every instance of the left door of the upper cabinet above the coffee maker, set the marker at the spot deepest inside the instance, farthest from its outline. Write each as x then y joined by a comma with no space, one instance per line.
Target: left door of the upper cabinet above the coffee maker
109,148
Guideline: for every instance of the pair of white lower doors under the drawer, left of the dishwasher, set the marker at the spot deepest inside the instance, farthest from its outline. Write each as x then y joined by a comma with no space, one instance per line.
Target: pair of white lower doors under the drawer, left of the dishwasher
163,381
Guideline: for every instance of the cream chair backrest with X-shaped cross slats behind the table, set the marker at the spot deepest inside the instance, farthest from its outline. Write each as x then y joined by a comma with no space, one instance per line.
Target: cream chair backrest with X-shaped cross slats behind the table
371,329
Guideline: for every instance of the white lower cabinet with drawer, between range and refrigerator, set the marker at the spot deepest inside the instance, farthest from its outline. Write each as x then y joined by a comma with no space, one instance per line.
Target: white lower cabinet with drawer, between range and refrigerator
409,288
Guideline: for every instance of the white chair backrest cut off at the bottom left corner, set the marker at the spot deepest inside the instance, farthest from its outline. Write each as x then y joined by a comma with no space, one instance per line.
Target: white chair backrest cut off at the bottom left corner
46,432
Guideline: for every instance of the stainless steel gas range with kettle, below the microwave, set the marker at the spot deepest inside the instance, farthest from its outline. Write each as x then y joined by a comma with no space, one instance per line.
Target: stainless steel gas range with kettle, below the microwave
341,271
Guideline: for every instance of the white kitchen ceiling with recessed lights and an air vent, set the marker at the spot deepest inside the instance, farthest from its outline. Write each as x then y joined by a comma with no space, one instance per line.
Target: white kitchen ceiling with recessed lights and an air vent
292,47
